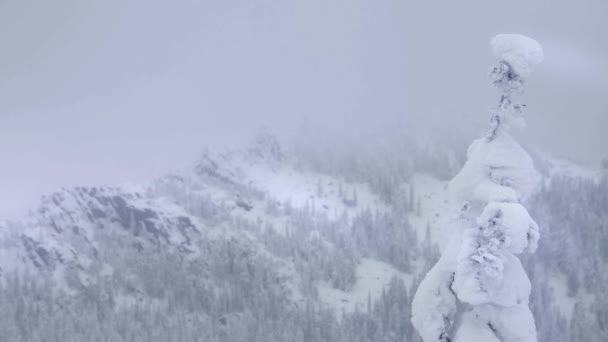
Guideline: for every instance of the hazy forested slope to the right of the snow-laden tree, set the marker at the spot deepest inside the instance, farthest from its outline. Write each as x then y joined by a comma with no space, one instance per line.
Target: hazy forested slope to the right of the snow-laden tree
573,252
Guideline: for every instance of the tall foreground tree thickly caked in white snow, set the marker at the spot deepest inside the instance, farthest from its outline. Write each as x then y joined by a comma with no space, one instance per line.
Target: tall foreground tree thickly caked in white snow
479,281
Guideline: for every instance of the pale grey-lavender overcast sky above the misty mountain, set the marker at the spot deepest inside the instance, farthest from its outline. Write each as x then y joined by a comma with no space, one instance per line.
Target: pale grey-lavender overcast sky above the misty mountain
99,92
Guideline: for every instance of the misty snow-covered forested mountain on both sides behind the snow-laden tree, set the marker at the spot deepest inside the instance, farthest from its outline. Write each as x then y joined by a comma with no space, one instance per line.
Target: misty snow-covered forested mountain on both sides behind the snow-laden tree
327,244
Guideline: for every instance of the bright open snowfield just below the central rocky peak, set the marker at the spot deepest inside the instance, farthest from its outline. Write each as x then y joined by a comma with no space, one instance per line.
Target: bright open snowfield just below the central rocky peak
285,185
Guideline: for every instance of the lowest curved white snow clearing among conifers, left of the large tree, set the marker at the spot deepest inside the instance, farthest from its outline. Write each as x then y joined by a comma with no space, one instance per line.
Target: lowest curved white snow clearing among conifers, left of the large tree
372,277
